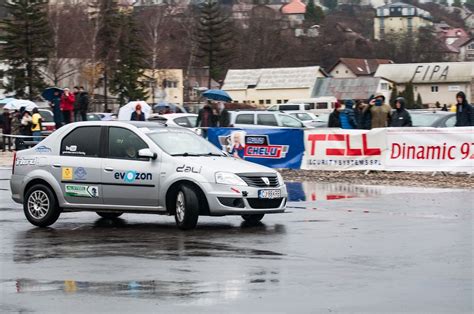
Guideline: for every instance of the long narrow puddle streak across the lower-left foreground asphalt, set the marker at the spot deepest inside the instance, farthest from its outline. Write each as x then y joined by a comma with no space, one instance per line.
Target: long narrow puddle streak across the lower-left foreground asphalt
212,290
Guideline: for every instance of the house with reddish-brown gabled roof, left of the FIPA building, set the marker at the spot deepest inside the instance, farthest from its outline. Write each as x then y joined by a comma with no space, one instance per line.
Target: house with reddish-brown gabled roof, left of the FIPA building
351,68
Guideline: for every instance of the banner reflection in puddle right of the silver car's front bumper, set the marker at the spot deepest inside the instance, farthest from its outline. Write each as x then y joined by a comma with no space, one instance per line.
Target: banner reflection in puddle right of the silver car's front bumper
315,191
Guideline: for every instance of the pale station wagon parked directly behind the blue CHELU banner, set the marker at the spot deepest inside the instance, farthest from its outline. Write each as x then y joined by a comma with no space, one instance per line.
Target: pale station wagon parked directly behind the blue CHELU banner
263,119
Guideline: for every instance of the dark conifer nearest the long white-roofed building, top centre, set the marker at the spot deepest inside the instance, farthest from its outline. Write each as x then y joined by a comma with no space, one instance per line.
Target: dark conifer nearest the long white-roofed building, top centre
213,39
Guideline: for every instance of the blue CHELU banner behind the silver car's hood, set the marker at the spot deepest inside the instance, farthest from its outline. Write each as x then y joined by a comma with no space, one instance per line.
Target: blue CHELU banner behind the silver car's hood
275,148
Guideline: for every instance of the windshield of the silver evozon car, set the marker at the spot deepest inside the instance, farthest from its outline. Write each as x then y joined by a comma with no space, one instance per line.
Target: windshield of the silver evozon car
183,144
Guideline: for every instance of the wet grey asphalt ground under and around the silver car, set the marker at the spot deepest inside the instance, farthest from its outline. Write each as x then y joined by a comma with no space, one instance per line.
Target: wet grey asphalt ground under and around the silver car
339,248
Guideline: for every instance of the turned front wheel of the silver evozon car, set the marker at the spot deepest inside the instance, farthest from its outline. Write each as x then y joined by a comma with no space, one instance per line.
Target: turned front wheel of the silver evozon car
187,208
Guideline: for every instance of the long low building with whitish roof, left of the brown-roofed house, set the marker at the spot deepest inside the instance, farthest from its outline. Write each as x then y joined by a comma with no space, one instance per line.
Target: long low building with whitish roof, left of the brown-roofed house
271,85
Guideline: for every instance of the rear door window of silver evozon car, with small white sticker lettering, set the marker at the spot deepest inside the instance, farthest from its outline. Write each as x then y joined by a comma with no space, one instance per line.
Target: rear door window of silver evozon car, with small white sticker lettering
82,142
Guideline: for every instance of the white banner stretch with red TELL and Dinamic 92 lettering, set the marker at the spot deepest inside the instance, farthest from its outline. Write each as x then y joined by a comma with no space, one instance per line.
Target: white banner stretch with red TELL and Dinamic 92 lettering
391,149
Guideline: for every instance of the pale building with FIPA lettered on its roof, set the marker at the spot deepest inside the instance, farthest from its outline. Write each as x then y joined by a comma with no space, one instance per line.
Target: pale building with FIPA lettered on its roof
435,82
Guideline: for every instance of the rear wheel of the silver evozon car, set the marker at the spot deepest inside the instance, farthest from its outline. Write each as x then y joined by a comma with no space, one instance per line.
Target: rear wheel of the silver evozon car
40,206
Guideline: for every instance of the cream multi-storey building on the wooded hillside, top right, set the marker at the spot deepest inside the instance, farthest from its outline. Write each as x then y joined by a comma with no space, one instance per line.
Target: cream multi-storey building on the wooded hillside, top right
398,18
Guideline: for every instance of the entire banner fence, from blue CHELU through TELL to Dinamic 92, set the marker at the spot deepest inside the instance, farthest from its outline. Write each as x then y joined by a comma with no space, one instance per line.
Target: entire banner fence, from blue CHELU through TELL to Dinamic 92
391,149
